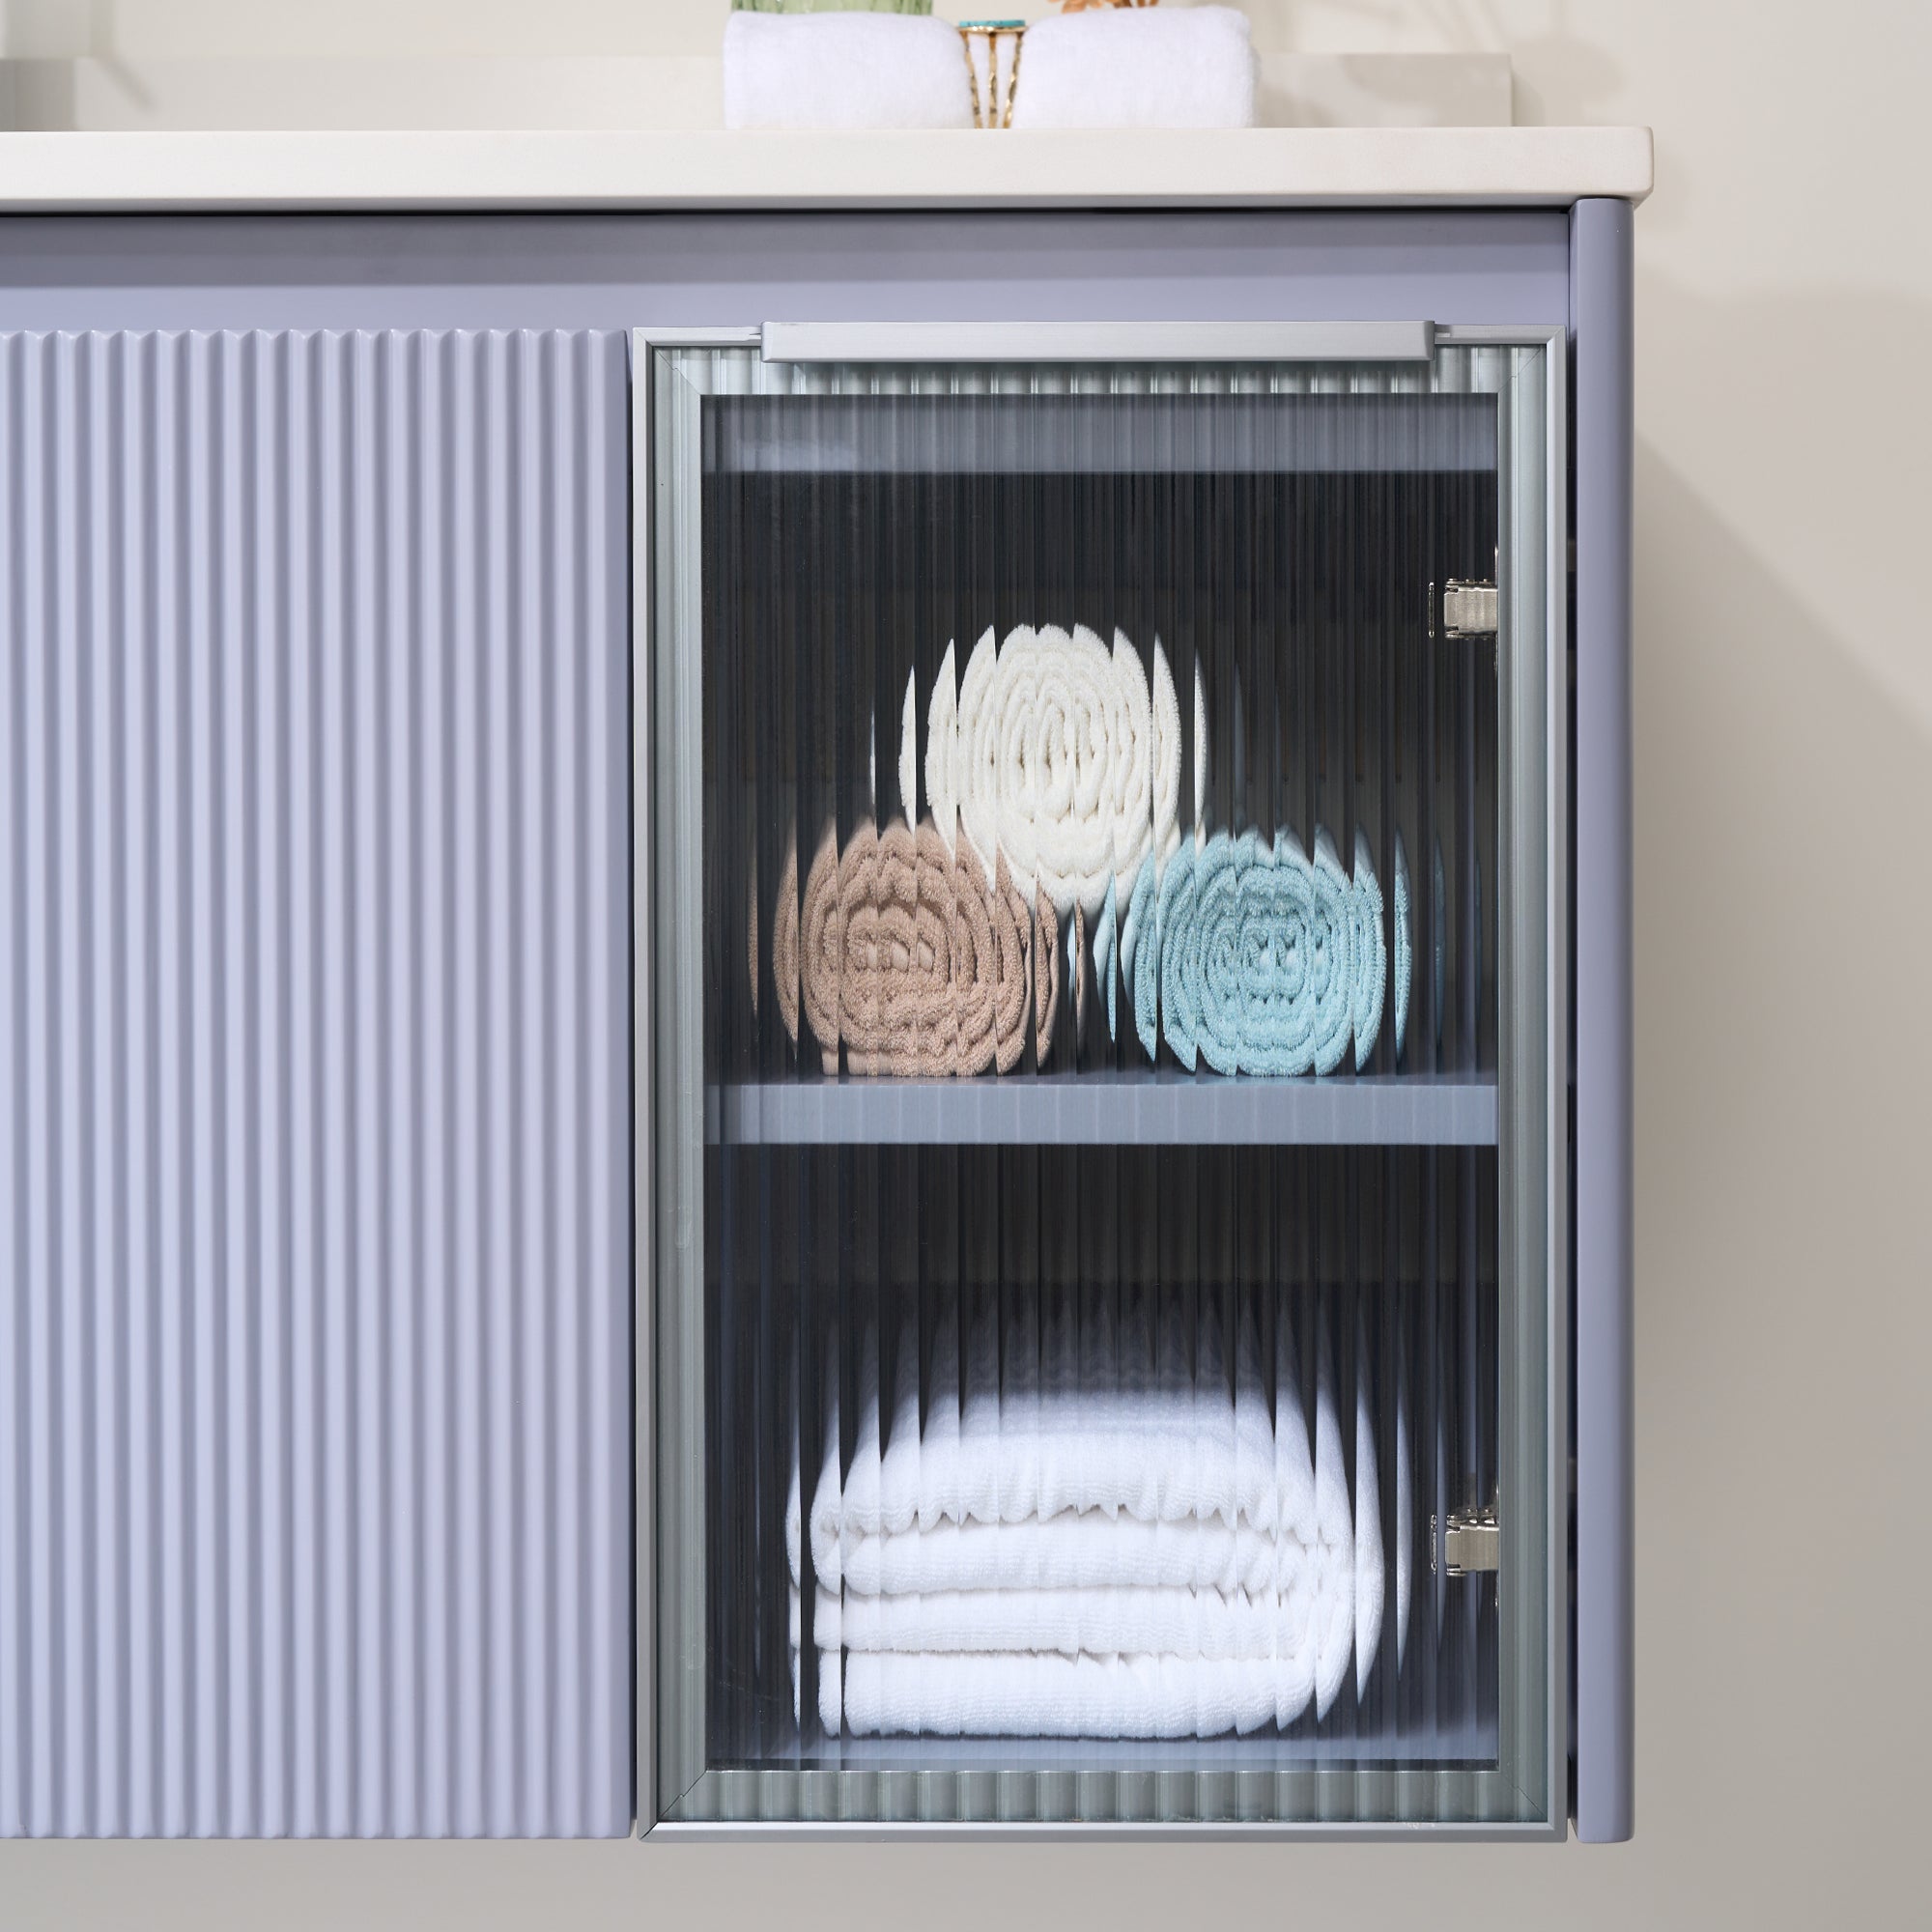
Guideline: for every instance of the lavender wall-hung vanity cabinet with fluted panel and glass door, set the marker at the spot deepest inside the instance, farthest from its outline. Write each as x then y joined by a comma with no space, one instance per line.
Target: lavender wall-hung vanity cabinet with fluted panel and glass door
816,1023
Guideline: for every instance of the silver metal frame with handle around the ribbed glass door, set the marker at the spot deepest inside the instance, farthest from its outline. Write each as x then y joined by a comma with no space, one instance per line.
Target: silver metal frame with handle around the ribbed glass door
1535,979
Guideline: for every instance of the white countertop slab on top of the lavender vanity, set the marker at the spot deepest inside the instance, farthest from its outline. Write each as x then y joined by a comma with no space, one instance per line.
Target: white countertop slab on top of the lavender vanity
708,169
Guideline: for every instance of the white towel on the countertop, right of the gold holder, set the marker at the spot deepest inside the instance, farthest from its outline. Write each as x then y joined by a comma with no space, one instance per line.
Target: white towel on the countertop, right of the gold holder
1137,69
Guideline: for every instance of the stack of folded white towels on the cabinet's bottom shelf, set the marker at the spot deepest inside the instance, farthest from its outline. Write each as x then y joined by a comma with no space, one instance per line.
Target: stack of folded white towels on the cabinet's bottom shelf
1104,1527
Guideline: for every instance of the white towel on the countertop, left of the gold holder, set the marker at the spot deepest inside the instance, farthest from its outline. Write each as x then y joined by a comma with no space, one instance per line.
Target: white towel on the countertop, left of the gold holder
845,71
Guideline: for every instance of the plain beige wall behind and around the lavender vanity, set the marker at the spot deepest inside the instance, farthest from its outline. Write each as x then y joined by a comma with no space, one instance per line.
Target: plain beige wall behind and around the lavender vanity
1784,1037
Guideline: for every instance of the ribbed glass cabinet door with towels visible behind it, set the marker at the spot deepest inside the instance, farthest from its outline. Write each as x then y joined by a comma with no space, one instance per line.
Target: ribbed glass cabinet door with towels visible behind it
1104,1037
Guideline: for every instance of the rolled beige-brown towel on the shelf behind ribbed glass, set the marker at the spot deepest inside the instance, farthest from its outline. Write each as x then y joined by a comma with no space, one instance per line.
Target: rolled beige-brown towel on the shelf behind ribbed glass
911,959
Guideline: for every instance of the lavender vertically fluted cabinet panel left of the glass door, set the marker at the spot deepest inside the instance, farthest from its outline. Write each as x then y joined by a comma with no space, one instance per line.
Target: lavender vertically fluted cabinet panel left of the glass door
314,1085
